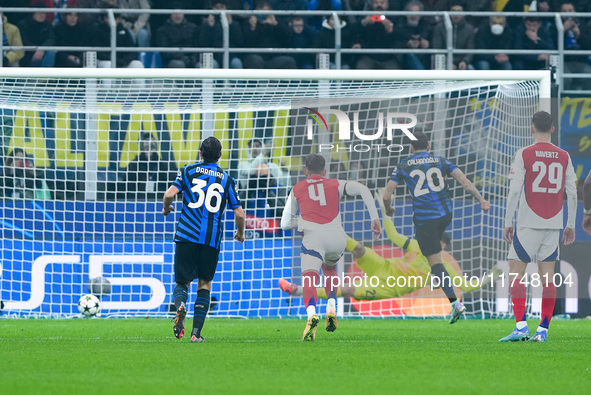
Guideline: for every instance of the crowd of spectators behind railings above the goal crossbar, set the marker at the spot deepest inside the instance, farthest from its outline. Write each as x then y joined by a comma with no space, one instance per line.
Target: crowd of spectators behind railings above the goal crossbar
261,30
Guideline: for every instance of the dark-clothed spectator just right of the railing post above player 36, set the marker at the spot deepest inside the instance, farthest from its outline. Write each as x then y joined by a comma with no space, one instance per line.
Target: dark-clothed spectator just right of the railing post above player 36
265,31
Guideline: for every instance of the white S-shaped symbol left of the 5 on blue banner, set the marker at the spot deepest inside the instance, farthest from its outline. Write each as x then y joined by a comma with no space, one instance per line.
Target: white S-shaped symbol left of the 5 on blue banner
38,281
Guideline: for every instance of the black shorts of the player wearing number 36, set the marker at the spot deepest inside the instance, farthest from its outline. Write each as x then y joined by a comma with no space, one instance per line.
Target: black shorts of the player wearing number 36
193,261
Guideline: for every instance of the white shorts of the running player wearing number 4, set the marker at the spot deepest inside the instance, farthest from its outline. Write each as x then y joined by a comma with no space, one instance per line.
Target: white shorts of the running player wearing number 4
320,246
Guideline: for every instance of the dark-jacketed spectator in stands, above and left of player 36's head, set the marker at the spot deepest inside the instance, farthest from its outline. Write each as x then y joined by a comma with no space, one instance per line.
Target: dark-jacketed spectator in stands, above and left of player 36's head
177,32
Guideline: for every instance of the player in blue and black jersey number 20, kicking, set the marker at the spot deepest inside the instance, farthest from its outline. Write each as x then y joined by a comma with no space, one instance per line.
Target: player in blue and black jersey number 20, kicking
424,175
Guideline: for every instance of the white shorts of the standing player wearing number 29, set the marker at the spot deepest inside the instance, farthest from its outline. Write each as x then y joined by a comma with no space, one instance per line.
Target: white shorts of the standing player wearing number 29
537,245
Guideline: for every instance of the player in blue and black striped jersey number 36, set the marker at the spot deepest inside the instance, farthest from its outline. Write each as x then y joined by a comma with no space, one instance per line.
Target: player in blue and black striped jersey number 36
207,189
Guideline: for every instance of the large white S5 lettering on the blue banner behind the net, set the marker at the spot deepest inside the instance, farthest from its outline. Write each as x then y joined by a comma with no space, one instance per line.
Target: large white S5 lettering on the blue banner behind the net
96,262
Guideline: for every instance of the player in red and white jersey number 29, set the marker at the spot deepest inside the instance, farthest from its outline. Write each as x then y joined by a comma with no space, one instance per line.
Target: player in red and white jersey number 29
540,176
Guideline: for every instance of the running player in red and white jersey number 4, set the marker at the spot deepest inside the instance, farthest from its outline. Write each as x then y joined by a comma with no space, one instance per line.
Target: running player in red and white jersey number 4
324,239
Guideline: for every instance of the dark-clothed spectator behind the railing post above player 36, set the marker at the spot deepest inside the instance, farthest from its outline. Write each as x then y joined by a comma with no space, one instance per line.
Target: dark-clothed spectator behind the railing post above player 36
212,36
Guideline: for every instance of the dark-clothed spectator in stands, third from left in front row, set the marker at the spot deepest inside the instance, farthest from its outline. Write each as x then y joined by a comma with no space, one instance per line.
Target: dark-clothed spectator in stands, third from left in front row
72,34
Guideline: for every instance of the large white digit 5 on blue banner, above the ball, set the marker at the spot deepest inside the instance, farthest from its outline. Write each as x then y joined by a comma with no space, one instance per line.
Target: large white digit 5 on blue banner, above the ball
95,269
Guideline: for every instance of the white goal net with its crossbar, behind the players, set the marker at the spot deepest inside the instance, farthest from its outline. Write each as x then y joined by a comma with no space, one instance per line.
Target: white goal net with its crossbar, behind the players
87,155
